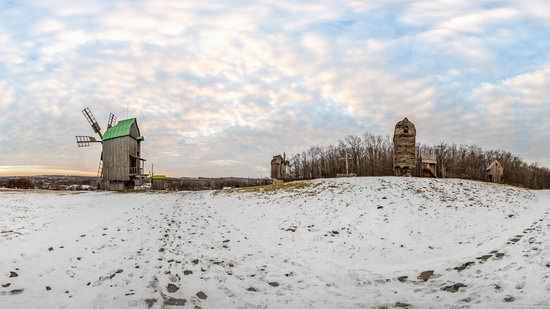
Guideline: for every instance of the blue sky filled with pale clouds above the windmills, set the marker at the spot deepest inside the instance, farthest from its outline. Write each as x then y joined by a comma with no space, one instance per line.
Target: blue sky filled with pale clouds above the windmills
219,87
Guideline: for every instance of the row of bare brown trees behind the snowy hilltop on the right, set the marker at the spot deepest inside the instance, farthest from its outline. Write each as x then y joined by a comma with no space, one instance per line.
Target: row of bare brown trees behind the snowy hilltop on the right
372,155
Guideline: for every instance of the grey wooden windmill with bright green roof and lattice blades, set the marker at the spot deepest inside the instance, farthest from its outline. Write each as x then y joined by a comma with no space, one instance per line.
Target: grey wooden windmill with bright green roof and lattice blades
120,163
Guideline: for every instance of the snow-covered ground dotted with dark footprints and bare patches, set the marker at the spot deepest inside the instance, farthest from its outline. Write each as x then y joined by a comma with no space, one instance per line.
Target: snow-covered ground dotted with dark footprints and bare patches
336,243
